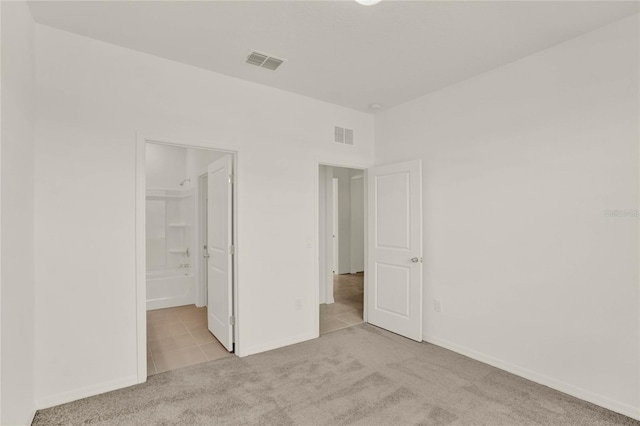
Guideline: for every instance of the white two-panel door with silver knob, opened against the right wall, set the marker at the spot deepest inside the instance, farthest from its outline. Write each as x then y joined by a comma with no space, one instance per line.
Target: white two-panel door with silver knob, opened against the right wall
394,298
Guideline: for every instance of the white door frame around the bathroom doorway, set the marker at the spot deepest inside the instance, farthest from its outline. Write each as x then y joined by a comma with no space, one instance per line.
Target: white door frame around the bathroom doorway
140,242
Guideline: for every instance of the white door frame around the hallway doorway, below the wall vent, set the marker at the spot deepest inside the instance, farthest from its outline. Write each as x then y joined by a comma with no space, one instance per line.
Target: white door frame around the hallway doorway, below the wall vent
316,293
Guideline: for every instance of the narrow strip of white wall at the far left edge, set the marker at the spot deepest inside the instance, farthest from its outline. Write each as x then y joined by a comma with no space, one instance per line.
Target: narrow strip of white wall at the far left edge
16,226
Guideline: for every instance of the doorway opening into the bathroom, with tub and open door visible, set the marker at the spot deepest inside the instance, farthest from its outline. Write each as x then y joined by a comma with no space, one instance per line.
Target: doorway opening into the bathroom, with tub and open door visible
186,255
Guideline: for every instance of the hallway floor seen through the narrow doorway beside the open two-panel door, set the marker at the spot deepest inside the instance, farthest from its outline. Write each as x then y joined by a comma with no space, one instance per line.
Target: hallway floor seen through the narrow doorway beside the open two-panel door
348,293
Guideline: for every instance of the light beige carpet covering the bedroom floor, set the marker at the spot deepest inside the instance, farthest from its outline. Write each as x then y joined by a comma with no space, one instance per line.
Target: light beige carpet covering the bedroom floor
358,375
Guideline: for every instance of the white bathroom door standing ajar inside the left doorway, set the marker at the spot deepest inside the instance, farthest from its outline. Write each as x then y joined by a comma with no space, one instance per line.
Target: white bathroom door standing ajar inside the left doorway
219,249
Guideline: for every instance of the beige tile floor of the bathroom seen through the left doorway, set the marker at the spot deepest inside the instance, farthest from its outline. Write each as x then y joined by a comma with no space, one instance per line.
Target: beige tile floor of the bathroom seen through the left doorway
178,337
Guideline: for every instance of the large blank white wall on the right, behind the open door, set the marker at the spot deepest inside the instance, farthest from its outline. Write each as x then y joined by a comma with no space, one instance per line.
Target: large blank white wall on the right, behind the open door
520,166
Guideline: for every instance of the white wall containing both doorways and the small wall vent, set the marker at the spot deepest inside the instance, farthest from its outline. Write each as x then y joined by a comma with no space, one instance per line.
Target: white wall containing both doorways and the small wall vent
92,99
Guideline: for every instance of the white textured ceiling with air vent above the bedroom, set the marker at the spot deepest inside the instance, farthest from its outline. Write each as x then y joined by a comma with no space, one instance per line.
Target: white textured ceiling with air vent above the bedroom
338,51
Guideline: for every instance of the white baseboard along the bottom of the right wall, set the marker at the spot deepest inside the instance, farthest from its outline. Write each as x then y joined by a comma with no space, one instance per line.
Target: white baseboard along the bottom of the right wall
602,401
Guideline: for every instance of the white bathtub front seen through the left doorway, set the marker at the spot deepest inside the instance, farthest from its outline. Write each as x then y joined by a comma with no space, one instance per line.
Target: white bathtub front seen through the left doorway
167,288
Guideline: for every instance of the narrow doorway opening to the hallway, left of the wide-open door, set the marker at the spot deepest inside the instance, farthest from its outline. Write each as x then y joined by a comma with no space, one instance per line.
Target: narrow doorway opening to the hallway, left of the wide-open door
342,247
